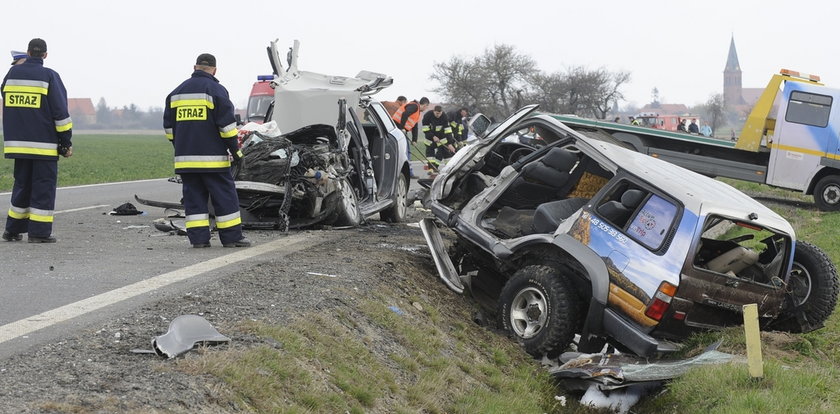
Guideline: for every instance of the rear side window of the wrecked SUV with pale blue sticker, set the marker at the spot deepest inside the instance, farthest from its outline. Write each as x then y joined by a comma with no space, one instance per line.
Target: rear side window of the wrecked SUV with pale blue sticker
644,216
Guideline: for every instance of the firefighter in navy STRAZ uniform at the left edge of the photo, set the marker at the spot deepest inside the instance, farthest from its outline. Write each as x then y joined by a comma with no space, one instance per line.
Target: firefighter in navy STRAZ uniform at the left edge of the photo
37,129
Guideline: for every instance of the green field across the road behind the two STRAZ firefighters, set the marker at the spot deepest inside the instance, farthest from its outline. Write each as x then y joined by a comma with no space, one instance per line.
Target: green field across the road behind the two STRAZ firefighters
107,158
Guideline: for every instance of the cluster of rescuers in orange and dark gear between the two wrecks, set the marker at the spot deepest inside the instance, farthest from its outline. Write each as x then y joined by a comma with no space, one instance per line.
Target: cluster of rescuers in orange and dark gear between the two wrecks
443,133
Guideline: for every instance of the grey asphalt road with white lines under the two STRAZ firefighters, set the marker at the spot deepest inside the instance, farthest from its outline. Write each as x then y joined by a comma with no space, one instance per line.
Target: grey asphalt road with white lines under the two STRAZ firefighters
103,263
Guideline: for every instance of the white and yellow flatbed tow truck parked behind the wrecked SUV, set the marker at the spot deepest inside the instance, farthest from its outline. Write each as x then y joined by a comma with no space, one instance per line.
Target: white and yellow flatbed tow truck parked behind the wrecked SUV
796,147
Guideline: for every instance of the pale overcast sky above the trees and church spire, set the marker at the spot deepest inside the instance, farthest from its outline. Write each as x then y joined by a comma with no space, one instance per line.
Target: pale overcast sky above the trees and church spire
138,51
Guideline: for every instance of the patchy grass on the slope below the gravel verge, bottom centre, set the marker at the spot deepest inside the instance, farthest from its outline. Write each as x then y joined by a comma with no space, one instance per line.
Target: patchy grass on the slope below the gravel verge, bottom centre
434,364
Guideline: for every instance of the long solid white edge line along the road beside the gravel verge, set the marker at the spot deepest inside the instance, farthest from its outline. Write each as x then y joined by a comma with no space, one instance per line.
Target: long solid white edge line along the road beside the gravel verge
46,319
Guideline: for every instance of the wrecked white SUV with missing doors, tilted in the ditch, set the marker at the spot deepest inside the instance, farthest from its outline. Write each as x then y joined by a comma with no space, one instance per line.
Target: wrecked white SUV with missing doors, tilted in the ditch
584,236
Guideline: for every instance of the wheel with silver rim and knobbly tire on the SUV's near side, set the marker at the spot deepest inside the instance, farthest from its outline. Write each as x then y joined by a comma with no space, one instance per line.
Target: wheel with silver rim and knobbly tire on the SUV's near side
539,309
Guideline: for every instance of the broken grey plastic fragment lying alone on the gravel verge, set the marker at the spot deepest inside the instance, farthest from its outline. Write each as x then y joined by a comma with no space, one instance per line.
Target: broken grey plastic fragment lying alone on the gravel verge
185,332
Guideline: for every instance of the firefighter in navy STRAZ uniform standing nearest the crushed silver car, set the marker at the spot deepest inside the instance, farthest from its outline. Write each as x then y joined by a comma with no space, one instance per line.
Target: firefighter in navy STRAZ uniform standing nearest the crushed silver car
198,119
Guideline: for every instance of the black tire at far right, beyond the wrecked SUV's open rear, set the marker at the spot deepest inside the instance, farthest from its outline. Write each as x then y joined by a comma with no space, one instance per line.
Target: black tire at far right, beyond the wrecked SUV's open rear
814,287
